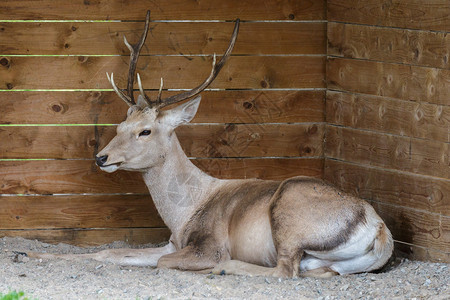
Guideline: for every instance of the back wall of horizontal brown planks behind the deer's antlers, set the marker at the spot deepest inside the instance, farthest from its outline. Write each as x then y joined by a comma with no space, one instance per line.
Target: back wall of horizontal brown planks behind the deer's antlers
264,117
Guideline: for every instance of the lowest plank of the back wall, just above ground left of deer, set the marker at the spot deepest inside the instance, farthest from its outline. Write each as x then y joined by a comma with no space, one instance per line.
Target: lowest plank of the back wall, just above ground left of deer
93,237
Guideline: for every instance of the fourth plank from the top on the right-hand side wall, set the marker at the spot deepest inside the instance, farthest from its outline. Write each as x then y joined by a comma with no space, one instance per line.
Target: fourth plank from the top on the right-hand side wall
415,119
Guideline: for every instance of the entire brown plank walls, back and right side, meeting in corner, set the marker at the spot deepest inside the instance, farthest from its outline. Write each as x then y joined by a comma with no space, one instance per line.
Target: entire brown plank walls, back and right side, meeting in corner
377,94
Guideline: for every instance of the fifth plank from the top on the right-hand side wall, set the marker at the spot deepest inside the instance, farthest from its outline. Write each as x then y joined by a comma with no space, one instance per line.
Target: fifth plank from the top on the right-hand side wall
406,154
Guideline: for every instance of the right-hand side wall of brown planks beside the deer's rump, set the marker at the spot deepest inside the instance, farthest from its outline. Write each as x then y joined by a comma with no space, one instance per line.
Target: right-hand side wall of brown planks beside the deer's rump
388,115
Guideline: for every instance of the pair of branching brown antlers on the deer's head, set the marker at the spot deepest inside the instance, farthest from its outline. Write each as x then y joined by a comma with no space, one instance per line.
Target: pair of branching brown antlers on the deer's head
160,103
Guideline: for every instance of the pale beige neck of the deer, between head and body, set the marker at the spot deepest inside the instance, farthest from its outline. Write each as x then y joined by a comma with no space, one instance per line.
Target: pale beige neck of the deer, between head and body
178,188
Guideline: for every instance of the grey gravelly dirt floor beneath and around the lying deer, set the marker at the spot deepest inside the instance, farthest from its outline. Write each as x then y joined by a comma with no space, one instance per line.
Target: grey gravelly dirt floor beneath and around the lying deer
88,279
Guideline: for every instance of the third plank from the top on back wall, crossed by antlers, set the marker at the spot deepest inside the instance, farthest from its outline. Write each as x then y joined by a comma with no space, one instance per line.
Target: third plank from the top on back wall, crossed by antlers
87,72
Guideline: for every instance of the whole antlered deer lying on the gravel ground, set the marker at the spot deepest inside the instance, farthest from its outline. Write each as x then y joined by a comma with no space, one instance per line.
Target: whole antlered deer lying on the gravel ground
300,226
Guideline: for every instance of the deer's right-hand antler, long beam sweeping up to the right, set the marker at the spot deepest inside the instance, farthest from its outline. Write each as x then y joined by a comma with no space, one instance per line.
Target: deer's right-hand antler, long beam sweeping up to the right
214,72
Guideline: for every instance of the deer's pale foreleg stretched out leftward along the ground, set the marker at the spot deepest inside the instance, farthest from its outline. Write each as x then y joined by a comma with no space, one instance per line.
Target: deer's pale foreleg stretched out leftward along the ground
126,257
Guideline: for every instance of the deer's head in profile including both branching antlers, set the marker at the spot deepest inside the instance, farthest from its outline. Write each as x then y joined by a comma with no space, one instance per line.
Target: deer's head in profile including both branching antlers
143,139
